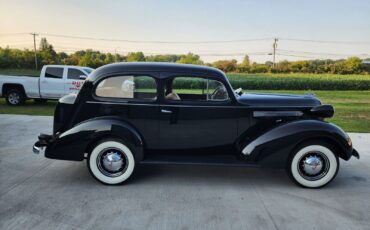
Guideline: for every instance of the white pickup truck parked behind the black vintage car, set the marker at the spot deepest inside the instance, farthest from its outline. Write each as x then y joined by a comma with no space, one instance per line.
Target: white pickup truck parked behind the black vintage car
54,82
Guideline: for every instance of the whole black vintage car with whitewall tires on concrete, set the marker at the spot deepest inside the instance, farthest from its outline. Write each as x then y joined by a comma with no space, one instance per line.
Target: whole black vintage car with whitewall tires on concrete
149,113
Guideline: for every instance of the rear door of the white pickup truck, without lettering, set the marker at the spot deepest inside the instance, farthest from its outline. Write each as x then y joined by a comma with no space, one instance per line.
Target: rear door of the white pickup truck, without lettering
52,82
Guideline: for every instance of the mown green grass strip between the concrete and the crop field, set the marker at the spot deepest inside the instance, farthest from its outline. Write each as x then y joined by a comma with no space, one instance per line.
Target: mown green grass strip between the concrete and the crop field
352,108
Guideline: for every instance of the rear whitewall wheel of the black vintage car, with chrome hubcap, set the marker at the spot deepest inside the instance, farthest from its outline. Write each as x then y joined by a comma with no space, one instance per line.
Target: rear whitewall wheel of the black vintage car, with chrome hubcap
111,162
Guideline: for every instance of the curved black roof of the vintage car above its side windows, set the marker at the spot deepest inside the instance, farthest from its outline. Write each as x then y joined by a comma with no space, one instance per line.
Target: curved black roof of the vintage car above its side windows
123,67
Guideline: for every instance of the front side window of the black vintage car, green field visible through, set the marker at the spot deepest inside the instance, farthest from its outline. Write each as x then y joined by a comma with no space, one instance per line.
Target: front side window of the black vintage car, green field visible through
195,89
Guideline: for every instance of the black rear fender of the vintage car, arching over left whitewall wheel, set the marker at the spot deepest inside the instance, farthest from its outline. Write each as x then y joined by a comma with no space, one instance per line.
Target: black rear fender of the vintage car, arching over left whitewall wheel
75,142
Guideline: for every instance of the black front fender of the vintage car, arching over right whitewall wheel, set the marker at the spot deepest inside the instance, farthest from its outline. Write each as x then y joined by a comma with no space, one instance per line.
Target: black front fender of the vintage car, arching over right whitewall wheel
274,146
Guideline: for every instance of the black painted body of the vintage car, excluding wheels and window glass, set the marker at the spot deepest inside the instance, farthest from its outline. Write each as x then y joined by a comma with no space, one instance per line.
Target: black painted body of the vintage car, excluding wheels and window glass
268,125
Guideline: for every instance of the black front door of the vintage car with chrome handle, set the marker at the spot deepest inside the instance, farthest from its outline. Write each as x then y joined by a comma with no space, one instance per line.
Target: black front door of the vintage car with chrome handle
193,120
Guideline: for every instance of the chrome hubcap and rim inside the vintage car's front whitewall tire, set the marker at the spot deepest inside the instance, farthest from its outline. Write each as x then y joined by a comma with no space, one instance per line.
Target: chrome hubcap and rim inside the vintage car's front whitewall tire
313,166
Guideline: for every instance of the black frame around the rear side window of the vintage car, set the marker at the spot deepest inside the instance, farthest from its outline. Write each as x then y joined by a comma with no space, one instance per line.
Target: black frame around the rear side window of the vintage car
126,100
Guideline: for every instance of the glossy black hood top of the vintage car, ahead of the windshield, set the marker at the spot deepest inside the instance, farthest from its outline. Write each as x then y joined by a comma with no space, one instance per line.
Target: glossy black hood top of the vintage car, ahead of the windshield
278,100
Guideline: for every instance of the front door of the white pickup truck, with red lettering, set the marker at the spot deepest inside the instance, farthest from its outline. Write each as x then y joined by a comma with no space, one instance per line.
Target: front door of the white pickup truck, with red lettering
74,81
